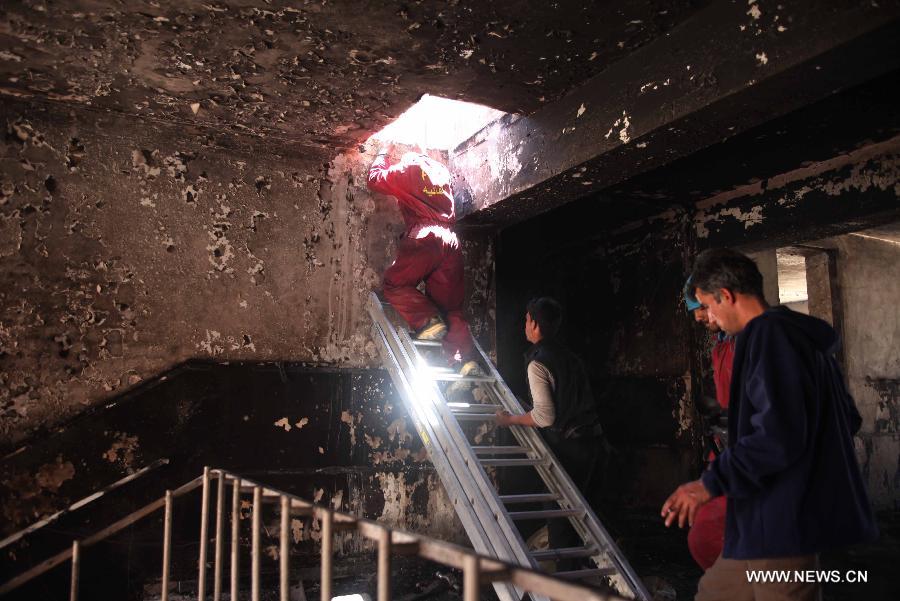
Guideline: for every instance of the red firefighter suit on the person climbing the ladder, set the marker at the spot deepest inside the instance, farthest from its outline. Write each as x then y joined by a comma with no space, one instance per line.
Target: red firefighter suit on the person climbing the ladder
429,251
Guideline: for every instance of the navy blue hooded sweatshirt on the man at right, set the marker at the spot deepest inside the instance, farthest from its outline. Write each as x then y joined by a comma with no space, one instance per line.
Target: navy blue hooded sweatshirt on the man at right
790,473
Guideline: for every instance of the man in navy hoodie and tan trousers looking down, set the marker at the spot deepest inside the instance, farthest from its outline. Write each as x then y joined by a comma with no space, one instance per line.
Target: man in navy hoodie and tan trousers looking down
790,473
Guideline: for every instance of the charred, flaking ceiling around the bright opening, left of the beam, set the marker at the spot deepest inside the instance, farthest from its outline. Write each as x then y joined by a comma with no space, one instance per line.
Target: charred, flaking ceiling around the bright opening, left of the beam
313,74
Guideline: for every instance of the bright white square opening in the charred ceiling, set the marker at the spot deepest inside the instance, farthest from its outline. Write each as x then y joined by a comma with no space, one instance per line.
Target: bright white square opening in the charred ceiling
438,123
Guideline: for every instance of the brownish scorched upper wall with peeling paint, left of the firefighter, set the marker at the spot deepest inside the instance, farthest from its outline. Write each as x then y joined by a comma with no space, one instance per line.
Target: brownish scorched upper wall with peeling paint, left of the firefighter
127,248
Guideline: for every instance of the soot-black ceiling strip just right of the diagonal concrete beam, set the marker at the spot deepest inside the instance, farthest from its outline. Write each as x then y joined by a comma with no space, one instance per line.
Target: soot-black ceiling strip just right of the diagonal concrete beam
836,126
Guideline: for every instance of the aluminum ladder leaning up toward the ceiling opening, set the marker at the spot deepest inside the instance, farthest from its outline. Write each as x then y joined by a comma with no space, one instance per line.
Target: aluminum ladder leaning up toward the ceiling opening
488,517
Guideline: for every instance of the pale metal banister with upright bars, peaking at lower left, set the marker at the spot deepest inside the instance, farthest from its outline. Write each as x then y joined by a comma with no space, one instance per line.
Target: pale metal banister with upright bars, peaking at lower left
223,494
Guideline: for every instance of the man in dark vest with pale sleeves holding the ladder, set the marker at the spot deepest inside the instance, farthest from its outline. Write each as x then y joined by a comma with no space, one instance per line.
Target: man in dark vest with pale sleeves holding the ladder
563,408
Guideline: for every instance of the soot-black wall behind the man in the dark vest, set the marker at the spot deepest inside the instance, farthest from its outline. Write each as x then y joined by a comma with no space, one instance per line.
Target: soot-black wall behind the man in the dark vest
621,292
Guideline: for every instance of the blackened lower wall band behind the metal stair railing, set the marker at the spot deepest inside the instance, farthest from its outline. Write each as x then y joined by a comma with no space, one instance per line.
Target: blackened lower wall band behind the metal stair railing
337,437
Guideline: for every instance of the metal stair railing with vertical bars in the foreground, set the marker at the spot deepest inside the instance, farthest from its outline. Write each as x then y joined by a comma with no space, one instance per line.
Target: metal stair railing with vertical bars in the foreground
477,569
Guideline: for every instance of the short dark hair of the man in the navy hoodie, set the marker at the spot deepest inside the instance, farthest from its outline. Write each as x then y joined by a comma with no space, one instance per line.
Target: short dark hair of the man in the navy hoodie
719,268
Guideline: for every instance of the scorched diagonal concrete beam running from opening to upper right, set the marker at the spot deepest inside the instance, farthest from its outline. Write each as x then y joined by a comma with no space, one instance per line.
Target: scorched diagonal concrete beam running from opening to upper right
731,67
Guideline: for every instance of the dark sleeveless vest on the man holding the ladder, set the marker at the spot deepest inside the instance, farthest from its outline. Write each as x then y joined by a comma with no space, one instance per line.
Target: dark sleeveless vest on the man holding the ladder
576,411
